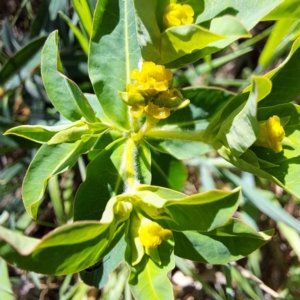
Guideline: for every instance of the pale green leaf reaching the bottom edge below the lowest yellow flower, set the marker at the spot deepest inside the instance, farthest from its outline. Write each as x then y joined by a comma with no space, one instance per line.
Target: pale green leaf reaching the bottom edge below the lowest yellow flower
148,280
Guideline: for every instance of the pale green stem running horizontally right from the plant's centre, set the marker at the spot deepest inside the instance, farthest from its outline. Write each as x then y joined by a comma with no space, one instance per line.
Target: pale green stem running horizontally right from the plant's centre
180,135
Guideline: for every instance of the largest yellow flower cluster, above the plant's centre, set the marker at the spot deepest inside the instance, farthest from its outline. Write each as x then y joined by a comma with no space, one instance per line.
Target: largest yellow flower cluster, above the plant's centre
151,80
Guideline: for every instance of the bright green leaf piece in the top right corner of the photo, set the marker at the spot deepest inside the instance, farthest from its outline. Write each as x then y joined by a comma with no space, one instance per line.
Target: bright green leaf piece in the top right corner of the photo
288,9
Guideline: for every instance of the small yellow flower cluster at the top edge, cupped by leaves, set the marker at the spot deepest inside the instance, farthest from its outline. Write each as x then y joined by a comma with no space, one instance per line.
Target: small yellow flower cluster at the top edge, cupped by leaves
177,14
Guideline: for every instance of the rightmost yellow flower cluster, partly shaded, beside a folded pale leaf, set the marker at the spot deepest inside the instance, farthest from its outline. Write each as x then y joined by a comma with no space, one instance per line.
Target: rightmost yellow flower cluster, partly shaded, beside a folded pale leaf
271,134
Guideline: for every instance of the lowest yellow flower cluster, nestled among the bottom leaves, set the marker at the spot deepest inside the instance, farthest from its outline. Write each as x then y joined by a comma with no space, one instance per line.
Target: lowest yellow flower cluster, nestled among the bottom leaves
151,234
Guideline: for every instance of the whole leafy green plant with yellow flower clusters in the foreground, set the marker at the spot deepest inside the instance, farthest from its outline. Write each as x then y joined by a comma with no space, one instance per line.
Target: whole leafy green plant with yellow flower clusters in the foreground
136,128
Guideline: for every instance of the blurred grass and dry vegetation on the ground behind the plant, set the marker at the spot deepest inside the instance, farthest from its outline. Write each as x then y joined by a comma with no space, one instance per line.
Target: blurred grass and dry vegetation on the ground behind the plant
269,273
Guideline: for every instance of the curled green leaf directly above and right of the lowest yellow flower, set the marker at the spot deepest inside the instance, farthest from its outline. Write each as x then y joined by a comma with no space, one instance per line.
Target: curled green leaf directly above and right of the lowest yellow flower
202,212
